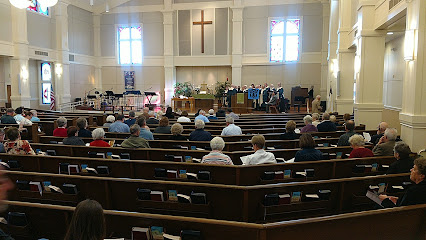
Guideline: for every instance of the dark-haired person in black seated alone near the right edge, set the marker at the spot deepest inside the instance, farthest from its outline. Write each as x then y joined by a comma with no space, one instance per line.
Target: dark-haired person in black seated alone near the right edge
404,162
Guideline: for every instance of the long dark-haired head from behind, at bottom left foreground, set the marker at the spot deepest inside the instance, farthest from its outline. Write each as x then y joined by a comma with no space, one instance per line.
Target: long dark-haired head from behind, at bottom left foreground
87,222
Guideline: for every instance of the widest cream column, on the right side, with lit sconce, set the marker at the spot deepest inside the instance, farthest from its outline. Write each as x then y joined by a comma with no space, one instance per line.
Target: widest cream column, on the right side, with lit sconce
370,59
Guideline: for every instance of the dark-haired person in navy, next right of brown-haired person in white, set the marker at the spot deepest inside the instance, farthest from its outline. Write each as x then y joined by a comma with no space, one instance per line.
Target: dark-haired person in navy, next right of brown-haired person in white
308,152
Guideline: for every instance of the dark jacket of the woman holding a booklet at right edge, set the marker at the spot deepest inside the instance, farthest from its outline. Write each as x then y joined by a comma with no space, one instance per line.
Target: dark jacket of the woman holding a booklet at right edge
414,195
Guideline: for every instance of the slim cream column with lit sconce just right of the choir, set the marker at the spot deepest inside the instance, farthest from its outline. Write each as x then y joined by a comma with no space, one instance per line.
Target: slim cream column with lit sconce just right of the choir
332,55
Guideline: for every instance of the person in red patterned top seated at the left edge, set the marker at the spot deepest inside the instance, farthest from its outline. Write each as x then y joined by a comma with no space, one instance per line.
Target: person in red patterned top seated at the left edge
14,144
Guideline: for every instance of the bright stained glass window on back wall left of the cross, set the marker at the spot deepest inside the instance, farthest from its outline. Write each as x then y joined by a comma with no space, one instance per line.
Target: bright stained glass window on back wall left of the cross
130,45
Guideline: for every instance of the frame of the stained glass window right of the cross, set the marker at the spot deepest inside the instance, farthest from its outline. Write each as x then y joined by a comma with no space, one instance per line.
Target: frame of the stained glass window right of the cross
284,39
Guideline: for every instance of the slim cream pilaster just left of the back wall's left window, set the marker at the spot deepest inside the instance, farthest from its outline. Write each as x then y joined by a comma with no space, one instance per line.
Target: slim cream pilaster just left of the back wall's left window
97,50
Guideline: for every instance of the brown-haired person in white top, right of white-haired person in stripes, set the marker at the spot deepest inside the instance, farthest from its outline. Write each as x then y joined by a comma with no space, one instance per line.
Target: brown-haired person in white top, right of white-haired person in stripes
260,156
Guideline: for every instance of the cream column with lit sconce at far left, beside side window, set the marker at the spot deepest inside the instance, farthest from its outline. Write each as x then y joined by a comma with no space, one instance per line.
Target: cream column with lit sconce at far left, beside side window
19,63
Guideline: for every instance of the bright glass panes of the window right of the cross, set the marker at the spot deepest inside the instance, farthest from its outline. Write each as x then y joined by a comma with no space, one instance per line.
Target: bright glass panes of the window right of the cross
285,40
